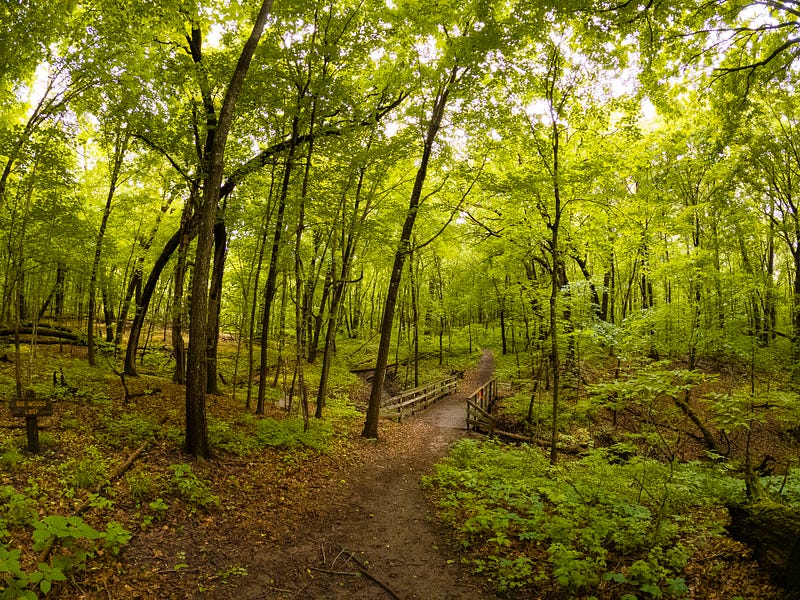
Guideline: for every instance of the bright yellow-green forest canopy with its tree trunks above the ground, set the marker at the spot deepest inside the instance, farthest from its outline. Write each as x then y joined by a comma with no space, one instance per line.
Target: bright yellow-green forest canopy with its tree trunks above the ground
621,174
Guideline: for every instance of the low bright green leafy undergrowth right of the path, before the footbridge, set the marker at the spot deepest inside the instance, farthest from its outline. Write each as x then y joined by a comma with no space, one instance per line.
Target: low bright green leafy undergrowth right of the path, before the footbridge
511,504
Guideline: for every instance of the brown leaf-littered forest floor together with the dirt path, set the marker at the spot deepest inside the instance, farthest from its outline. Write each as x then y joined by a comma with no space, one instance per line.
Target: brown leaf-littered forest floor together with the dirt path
351,522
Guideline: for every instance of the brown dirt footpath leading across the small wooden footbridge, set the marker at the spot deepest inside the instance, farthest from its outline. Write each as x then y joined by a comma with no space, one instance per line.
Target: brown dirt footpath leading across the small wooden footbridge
379,521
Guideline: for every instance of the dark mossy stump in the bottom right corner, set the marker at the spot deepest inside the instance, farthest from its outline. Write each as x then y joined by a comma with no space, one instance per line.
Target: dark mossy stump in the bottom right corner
773,531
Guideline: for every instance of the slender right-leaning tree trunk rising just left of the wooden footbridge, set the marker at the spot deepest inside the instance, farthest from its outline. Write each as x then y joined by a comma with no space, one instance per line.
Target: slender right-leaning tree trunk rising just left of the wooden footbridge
403,249
